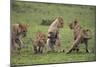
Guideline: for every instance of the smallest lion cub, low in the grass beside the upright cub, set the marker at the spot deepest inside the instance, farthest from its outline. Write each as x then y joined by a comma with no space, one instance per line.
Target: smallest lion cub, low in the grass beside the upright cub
39,43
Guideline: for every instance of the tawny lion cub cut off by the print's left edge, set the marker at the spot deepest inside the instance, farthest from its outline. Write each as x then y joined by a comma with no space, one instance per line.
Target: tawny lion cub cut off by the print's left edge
18,31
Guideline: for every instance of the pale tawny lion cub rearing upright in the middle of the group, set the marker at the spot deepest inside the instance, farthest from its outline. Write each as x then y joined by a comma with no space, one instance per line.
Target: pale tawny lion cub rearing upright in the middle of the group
54,29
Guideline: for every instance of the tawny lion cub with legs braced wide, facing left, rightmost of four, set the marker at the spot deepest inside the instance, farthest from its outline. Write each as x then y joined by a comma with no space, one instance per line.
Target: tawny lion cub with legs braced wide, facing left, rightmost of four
80,36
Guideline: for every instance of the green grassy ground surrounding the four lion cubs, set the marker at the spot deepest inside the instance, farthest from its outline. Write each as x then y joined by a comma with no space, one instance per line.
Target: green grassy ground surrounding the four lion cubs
33,13
